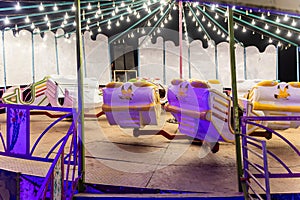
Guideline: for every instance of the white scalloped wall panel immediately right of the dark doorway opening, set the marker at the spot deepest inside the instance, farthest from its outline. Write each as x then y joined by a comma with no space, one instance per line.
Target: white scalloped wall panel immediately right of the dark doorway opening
151,60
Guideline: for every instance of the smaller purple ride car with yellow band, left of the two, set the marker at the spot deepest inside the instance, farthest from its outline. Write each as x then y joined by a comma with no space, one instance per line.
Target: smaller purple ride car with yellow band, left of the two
131,105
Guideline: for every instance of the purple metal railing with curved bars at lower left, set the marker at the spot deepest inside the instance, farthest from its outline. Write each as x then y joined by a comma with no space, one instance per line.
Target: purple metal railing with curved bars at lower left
71,159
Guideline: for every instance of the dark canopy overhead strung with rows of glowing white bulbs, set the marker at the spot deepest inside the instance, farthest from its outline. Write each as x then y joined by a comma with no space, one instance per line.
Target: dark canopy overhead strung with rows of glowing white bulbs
123,21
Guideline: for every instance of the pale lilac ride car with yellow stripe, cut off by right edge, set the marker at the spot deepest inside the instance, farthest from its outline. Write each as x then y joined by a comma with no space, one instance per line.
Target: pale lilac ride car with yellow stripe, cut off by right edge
270,98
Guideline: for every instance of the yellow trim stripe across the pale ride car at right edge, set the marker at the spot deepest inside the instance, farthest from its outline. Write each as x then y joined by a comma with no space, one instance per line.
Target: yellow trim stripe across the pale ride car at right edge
270,107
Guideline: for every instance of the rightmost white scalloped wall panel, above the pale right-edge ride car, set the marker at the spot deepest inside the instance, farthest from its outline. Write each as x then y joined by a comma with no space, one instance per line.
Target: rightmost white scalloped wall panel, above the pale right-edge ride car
261,65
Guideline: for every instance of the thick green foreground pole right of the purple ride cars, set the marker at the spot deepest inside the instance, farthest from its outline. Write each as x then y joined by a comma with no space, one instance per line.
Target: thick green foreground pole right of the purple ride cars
236,124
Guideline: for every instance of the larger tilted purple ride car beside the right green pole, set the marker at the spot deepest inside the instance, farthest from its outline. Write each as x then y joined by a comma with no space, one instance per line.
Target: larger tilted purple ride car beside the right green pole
201,111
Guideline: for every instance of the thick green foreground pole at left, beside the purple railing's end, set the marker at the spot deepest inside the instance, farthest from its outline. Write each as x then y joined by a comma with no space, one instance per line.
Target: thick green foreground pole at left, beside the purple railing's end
80,108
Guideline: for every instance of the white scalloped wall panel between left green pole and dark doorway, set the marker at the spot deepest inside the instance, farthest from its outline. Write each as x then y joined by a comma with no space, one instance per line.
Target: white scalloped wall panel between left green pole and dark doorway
97,58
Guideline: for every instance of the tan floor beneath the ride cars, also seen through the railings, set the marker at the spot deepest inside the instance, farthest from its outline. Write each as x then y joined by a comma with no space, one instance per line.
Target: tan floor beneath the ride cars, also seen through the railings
115,157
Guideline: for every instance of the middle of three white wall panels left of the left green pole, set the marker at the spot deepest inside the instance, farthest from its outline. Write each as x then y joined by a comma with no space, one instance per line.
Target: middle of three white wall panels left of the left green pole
44,65
